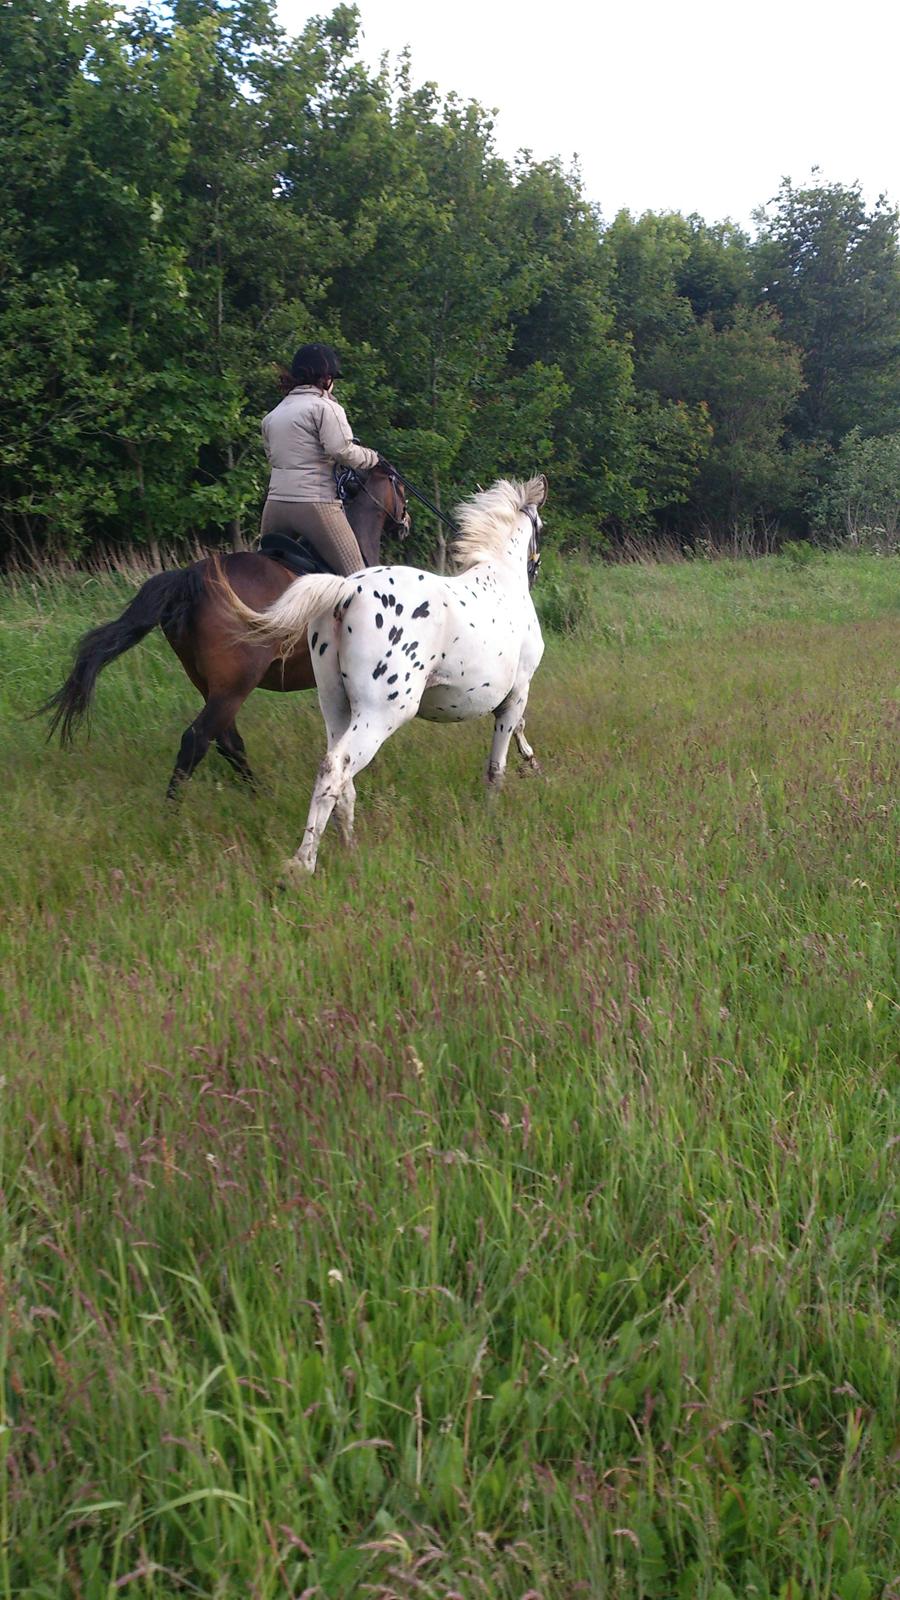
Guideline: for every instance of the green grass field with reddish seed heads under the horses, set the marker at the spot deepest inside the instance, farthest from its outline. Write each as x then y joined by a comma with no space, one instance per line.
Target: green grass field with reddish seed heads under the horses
508,1212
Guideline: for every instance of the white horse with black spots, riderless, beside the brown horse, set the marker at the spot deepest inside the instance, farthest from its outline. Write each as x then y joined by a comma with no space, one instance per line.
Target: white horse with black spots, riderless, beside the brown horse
392,644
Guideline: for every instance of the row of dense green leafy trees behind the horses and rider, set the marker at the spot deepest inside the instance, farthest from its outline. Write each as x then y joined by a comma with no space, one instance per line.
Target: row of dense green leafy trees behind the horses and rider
187,194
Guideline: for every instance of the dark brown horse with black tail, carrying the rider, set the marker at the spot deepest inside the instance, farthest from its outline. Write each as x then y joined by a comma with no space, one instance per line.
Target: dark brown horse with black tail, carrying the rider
201,628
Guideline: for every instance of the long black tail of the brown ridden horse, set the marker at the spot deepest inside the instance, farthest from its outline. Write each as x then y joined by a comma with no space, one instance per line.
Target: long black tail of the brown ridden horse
166,601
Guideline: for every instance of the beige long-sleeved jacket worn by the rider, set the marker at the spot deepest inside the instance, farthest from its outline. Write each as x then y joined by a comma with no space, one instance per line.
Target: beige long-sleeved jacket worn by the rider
305,436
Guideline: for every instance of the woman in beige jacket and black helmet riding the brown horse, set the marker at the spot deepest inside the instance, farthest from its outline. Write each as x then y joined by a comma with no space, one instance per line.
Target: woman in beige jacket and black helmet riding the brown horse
307,436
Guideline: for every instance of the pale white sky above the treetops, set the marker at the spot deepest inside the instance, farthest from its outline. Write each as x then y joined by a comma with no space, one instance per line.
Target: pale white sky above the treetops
686,106
